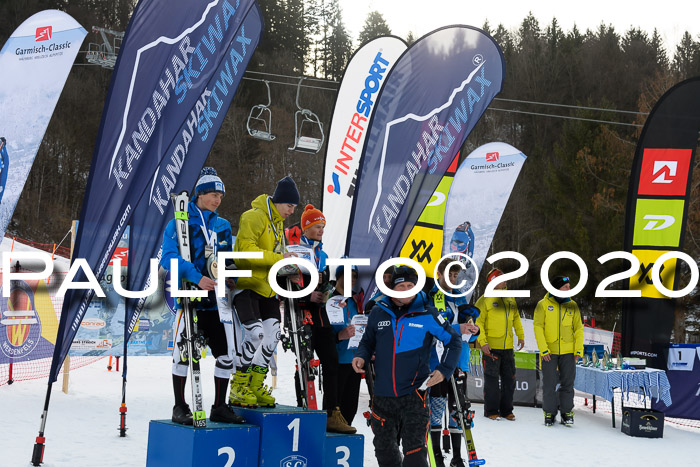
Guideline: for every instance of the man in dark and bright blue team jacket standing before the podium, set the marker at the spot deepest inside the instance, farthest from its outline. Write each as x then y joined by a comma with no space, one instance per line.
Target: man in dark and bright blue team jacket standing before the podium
400,335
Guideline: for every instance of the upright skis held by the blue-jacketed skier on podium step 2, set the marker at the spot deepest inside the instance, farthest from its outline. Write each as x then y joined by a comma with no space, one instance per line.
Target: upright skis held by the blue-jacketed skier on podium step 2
193,343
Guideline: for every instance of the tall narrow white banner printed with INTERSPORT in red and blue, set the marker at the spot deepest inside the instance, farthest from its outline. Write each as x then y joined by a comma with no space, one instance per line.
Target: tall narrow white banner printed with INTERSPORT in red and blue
363,78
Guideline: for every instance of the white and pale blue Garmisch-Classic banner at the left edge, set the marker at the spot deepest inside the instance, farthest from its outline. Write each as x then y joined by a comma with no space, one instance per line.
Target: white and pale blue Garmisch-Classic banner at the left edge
34,64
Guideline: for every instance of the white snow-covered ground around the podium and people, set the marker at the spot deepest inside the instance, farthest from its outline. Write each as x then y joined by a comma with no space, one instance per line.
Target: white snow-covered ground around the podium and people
82,425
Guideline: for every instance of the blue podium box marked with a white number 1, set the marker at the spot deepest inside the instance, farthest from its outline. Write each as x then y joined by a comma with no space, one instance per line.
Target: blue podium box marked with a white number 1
289,436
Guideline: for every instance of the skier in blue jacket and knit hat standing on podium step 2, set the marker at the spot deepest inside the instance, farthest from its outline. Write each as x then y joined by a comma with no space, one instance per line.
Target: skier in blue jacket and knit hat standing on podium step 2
209,234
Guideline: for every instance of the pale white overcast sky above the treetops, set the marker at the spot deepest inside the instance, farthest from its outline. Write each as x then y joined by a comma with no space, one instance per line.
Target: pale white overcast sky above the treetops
671,18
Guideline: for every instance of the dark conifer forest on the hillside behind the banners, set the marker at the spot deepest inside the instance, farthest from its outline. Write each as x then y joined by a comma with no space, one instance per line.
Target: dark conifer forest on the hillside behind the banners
573,101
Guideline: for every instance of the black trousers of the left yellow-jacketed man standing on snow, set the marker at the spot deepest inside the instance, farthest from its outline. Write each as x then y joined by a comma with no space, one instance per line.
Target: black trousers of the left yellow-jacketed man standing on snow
498,399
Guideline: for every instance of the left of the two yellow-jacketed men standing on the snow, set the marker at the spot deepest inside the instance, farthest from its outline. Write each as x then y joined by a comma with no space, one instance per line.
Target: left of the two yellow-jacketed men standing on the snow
497,318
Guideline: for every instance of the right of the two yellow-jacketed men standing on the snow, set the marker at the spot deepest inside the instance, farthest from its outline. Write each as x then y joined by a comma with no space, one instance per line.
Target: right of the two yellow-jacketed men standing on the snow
559,334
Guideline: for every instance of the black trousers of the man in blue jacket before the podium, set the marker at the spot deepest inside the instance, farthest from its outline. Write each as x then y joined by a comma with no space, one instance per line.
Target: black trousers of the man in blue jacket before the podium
406,418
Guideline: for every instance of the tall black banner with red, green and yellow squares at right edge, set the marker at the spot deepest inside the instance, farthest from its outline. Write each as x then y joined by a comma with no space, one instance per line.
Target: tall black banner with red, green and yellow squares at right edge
657,208
